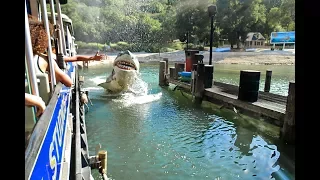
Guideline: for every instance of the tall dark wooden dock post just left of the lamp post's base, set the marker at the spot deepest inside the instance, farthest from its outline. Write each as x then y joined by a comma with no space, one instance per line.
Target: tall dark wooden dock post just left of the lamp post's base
199,89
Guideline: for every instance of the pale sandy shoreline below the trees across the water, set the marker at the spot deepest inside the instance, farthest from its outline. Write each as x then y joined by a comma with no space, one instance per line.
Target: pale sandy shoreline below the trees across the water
245,58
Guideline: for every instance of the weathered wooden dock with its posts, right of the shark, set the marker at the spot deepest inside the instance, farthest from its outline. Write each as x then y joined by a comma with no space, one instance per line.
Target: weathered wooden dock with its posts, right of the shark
273,108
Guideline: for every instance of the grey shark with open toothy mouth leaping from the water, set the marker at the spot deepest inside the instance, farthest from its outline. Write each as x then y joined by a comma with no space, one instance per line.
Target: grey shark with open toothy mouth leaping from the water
125,69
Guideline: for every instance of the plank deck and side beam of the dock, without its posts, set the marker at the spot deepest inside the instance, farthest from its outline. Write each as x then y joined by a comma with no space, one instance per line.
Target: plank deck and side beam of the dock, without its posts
269,105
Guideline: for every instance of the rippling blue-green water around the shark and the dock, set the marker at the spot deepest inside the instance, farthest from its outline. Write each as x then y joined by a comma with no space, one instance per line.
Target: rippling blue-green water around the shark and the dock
162,135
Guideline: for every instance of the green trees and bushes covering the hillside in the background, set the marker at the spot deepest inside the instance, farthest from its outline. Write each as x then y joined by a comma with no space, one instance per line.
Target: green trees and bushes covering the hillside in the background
147,25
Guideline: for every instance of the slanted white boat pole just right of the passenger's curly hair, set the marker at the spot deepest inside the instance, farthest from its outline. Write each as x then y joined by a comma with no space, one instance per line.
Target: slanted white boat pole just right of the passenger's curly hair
46,24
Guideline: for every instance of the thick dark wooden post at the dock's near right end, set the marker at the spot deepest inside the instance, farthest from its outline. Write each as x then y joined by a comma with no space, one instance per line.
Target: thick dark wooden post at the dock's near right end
288,133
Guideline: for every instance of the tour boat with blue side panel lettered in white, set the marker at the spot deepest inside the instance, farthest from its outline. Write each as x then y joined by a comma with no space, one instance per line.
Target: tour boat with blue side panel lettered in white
56,144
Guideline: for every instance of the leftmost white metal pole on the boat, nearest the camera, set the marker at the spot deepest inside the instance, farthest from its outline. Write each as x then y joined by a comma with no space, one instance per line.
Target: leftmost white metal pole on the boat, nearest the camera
31,73
